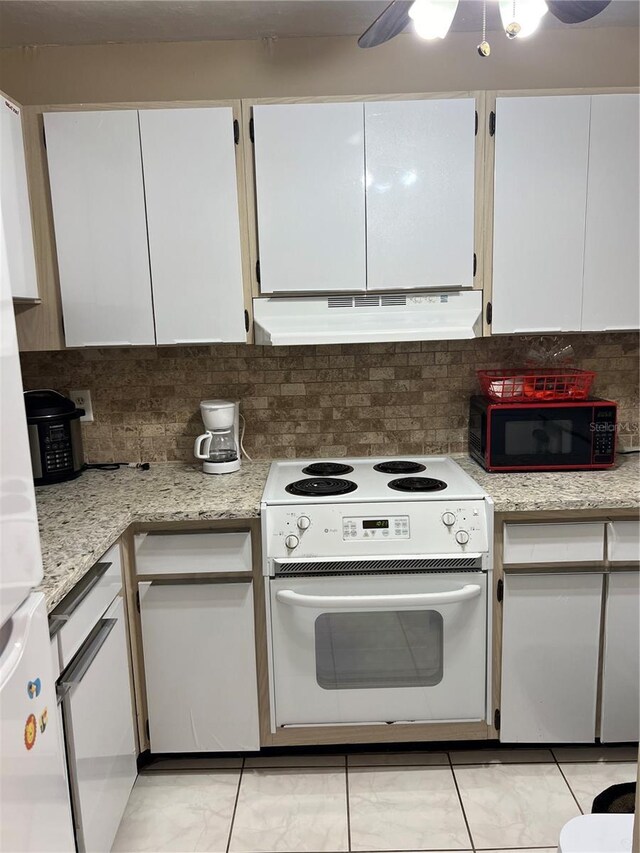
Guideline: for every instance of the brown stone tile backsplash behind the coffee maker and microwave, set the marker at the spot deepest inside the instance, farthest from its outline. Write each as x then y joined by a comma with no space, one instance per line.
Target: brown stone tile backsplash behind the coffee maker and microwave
345,400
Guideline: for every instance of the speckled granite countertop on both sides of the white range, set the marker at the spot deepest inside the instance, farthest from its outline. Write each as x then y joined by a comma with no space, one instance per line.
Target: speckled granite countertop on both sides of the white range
81,519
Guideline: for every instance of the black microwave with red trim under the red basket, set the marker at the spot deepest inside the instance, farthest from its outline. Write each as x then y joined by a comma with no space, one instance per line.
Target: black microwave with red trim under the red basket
578,435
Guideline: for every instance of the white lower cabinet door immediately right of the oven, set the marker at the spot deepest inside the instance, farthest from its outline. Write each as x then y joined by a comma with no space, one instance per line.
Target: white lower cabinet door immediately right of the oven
550,644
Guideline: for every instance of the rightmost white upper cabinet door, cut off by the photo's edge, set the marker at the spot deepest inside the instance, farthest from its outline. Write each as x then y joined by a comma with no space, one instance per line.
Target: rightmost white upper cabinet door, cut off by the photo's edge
611,268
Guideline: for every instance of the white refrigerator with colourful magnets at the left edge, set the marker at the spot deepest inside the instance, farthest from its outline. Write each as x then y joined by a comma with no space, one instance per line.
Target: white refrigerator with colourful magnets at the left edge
35,811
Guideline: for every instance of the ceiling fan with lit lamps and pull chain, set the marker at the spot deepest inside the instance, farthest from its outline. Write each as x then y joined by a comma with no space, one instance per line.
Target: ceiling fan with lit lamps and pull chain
432,18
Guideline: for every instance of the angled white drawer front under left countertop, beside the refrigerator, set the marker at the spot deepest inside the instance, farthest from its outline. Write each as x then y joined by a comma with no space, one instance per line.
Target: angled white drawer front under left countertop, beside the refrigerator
81,609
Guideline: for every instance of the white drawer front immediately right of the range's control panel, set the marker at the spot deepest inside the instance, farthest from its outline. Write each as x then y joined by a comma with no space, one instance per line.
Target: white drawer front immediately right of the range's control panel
554,543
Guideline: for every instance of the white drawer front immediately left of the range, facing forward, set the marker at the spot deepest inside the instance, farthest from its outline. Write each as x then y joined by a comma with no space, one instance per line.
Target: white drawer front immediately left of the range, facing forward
192,553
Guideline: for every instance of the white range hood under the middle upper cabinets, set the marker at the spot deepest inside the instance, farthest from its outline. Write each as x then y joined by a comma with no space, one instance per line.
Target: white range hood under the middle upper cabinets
367,318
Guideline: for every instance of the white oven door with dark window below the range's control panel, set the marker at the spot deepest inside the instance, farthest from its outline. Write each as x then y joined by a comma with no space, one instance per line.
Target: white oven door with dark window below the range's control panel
378,648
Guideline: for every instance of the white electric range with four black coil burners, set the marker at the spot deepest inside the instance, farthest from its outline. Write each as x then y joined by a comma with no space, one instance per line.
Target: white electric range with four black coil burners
378,571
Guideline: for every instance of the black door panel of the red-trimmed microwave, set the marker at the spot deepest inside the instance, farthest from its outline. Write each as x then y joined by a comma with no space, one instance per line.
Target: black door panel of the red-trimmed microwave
549,436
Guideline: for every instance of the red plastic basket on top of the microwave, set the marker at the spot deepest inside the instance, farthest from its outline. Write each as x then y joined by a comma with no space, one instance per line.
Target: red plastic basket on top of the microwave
527,386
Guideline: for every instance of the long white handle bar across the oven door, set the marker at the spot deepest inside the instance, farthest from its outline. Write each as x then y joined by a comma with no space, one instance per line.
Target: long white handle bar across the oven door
367,602
